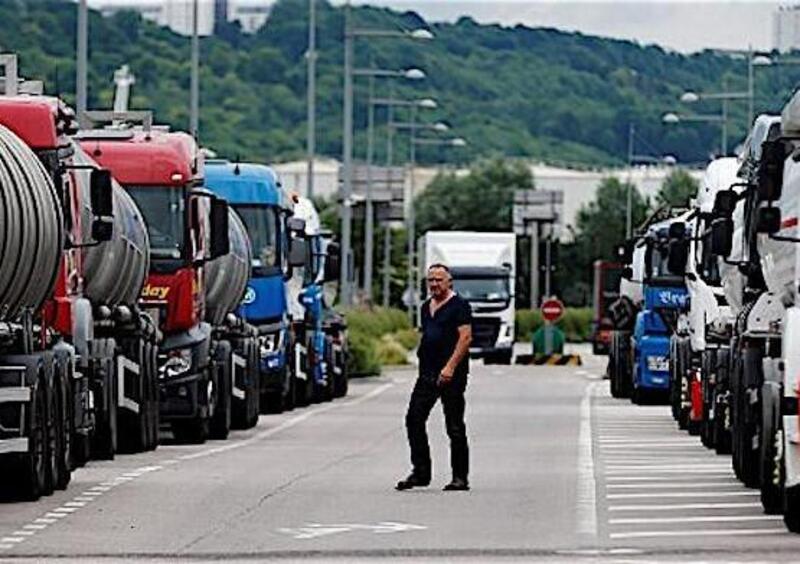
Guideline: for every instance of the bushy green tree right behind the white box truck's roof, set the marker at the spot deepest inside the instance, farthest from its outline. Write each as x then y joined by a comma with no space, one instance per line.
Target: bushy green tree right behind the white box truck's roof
480,201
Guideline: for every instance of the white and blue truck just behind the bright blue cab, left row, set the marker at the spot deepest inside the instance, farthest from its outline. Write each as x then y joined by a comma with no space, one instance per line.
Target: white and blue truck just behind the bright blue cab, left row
320,358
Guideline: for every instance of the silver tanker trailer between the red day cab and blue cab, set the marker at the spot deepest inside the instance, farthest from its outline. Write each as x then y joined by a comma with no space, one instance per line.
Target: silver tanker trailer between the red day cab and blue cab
235,341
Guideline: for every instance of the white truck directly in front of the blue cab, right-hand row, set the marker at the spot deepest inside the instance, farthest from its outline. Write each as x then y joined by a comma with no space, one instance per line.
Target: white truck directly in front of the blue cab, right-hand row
699,345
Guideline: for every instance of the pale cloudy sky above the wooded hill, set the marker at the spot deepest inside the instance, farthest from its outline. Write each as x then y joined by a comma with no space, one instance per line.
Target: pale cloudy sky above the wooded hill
680,25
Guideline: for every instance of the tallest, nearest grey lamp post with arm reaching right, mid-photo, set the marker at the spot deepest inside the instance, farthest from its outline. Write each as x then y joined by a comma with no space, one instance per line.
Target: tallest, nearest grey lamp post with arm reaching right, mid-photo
350,33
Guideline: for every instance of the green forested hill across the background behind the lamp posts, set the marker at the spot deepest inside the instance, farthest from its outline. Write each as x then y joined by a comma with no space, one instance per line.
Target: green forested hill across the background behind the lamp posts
518,91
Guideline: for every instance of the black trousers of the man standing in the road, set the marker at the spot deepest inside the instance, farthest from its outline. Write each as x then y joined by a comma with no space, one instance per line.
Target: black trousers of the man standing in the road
423,398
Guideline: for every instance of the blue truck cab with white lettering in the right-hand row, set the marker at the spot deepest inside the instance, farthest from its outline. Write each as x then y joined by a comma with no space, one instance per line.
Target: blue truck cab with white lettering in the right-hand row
665,296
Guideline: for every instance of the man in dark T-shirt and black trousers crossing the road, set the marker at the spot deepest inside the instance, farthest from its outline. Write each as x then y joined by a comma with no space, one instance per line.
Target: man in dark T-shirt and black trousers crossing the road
443,366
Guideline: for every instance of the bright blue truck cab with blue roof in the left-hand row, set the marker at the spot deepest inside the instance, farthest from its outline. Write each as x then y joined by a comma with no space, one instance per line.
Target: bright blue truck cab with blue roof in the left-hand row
256,194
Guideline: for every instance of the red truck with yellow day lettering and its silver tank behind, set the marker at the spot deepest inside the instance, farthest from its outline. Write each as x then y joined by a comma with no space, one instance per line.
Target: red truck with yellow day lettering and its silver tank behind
191,286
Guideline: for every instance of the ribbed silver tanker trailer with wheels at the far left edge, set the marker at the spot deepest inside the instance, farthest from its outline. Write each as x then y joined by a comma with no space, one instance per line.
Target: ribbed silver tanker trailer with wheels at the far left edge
30,374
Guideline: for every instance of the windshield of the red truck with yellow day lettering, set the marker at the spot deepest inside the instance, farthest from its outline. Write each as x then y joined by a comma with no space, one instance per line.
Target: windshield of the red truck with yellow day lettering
163,210
